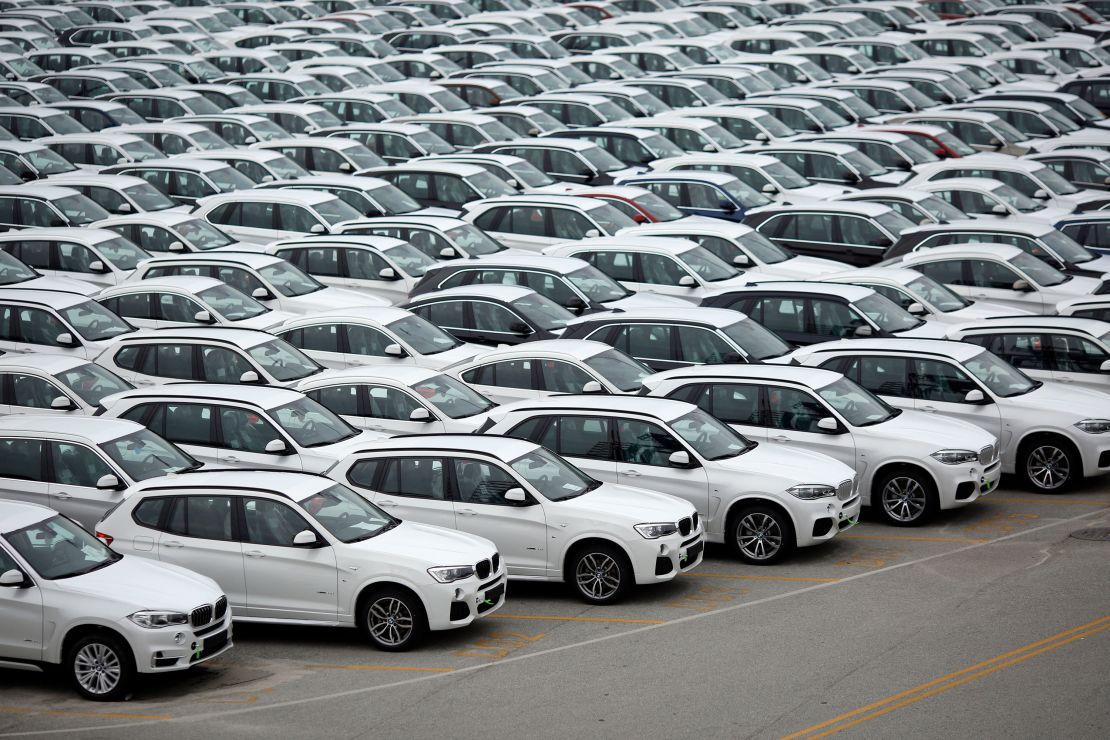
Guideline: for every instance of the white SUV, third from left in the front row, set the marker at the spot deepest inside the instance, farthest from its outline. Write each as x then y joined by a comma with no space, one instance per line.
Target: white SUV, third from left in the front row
551,521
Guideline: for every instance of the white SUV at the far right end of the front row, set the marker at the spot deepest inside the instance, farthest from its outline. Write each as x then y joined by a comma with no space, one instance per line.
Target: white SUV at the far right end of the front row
1051,435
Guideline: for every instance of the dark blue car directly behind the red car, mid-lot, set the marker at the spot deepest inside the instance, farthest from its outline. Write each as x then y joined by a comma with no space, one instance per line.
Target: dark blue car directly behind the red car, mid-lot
699,194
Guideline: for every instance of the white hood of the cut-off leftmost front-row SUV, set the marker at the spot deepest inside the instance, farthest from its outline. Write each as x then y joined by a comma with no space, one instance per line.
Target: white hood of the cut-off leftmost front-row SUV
138,584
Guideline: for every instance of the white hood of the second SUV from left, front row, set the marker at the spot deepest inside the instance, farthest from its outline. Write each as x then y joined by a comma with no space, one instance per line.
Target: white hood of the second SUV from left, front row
435,546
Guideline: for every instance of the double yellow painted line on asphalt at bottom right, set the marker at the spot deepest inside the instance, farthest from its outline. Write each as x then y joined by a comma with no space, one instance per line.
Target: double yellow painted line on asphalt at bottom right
950,682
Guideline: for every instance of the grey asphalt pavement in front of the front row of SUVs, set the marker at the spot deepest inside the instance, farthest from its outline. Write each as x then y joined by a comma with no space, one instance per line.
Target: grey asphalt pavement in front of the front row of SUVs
992,622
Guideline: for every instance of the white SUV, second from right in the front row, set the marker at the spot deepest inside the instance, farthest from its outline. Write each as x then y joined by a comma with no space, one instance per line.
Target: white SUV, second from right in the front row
911,465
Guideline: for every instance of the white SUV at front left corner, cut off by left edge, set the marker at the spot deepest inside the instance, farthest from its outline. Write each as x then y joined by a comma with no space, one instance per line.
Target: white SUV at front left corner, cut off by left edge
69,602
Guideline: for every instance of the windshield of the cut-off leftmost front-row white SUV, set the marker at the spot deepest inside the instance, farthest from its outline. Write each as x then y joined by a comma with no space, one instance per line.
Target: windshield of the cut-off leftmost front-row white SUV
58,549
